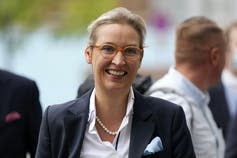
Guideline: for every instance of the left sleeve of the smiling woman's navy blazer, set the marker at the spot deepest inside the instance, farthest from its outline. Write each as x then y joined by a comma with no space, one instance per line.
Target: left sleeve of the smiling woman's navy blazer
43,148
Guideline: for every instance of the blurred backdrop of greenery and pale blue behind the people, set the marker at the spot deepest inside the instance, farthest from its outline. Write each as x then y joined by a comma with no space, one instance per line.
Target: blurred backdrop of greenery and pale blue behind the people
45,39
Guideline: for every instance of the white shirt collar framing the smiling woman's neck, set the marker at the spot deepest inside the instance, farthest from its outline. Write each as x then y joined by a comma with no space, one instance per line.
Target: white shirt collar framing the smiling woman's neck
92,110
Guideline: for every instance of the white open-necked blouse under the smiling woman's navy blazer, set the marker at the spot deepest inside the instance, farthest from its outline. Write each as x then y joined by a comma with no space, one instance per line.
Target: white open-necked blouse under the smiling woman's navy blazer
94,147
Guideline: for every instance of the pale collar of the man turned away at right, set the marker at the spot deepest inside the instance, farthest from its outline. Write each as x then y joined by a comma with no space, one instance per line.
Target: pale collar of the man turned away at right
188,88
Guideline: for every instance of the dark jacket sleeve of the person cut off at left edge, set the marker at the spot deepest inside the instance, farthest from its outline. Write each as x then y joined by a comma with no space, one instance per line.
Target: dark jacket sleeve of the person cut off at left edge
34,117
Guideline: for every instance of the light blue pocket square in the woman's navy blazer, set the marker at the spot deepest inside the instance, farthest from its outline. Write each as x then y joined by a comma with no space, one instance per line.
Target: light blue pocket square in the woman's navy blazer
154,146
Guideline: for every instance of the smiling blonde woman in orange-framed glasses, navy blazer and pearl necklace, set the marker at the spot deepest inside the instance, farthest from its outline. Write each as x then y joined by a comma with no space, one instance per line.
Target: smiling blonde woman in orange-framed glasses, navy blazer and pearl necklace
113,119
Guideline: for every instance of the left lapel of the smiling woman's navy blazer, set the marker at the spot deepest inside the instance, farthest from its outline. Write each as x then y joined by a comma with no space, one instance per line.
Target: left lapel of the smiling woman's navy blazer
75,126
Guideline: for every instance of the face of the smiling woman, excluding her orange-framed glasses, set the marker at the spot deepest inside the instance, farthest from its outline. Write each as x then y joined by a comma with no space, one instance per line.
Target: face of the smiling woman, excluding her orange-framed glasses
116,73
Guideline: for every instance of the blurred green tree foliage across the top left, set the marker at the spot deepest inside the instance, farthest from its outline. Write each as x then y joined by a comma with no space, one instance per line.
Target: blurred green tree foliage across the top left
63,17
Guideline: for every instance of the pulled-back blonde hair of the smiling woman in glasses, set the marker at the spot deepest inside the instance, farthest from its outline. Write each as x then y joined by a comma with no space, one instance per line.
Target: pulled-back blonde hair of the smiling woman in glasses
118,15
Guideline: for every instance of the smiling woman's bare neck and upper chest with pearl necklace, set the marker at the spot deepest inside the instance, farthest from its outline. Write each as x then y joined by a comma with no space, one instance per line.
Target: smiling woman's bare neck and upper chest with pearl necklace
110,109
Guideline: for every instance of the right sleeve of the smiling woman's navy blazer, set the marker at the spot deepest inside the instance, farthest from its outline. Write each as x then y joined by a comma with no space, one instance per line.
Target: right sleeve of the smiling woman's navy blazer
182,143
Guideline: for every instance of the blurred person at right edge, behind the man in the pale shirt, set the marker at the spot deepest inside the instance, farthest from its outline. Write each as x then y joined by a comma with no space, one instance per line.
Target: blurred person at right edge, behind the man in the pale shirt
223,103
